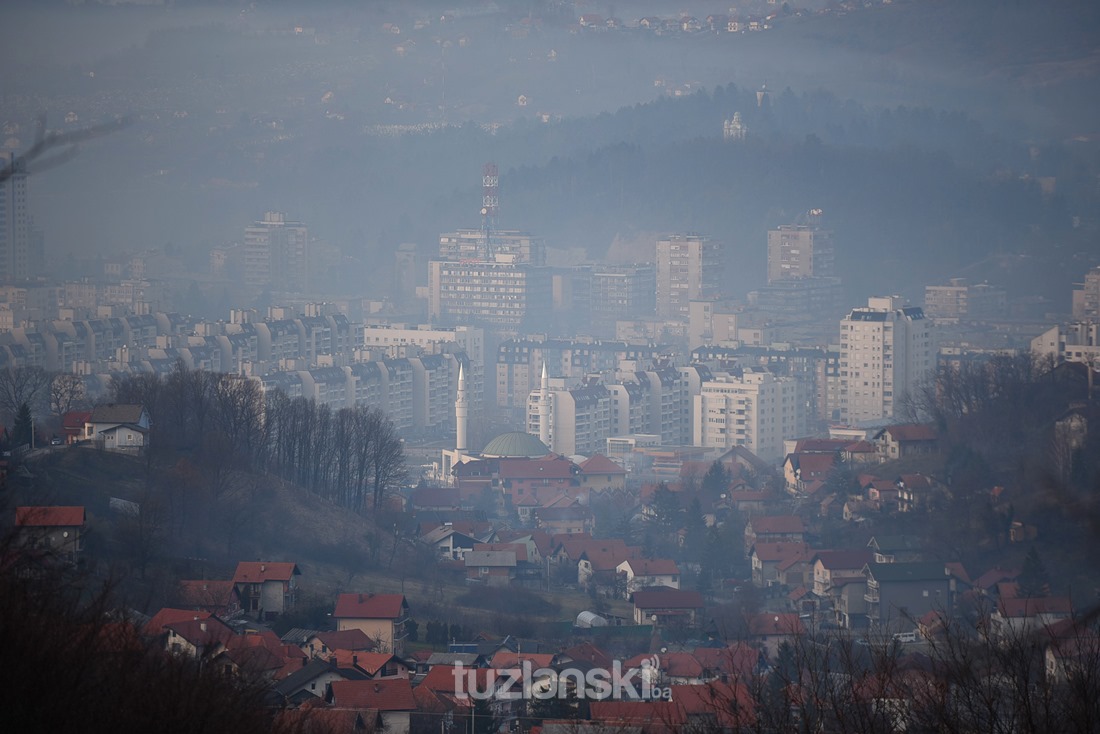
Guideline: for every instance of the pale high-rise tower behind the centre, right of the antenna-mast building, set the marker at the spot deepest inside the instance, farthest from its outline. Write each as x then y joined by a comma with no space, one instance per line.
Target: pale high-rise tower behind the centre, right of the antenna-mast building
689,268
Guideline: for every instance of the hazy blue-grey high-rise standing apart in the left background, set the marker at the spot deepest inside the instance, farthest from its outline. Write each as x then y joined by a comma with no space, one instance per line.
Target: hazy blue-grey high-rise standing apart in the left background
277,255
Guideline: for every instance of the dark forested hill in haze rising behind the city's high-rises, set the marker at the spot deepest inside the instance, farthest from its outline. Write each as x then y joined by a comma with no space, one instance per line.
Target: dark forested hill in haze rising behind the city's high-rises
915,195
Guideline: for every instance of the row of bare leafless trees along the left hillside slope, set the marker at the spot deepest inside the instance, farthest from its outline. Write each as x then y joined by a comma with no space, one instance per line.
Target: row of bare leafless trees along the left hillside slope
227,423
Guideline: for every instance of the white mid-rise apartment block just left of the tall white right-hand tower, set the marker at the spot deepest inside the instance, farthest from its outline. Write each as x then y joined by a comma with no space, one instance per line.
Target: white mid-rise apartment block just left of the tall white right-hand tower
755,410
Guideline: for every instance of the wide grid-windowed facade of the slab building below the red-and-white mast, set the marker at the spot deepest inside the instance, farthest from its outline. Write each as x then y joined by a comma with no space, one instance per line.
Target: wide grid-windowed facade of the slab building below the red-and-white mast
503,297
